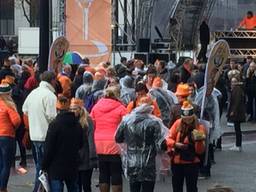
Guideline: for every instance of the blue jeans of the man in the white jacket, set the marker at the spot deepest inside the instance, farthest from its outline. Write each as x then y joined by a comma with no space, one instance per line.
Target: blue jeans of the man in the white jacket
38,157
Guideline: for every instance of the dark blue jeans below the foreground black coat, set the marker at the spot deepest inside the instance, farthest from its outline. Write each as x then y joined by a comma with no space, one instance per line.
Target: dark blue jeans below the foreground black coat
58,185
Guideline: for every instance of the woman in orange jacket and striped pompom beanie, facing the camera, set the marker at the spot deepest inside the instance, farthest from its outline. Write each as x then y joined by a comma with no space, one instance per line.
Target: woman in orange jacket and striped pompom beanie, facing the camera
186,141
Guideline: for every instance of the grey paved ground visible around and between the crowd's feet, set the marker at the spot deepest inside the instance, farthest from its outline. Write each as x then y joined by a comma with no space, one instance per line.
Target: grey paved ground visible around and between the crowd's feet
233,169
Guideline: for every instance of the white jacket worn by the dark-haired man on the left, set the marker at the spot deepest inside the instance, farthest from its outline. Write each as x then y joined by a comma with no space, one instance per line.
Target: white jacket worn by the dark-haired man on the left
40,107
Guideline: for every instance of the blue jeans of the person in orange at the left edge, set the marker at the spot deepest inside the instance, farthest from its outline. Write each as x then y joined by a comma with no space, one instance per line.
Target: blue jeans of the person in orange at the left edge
7,153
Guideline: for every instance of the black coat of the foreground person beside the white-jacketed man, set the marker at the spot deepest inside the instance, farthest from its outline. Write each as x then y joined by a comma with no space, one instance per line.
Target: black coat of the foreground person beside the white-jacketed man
63,141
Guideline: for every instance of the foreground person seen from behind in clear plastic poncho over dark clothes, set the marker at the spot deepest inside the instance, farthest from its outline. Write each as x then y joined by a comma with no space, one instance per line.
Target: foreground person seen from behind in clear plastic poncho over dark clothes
143,134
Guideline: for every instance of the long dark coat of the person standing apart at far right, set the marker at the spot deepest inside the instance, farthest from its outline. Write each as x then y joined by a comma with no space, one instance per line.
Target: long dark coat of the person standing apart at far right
237,104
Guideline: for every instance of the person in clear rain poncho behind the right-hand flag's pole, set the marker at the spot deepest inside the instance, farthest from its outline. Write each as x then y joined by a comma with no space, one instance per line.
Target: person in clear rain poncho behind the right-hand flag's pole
211,114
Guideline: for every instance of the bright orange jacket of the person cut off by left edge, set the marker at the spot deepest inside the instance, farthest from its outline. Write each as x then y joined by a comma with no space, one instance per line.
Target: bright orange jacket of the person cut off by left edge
9,120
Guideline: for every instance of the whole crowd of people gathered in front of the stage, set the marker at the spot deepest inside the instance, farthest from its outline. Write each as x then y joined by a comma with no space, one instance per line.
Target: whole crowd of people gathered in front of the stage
119,119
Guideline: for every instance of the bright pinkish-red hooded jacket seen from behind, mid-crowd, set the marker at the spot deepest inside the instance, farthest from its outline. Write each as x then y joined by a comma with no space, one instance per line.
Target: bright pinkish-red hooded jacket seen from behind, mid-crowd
107,114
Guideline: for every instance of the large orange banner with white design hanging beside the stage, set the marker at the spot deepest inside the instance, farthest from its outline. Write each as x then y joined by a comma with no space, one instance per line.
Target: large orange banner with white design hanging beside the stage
88,28
